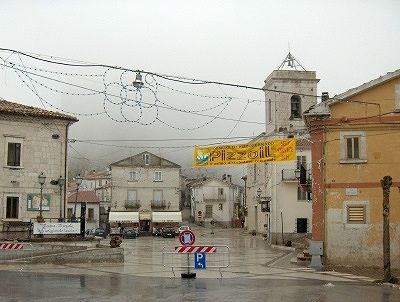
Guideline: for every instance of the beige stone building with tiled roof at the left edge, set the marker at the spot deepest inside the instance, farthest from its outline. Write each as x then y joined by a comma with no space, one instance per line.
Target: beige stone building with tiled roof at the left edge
32,141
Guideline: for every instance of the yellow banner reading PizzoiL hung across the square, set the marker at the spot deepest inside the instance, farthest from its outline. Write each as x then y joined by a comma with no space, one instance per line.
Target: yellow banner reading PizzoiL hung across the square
258,152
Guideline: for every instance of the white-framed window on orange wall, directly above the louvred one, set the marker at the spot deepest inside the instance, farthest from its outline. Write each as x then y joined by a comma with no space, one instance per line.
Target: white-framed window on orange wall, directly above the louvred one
353,147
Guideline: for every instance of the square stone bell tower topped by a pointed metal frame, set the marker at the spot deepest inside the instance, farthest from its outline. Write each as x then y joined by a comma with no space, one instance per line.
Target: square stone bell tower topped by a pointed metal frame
289,91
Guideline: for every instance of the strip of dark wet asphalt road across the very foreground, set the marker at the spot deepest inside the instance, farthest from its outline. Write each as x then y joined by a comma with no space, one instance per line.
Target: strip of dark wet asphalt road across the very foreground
16,286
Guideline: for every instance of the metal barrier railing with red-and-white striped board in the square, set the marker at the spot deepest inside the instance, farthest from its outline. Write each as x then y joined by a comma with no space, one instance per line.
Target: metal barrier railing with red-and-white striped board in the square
217,257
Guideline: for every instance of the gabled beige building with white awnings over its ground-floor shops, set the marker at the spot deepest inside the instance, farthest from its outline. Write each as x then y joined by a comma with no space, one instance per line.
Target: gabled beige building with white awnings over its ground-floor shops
148,186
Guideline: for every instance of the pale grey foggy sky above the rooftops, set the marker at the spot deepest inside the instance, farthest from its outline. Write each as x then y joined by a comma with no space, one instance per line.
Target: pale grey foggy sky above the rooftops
346,42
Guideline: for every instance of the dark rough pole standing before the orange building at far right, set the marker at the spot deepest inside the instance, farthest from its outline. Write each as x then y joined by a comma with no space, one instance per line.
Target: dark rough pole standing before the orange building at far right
386,183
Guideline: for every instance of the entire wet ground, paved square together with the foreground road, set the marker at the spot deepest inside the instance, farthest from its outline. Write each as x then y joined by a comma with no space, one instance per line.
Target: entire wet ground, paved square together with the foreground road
255,273
